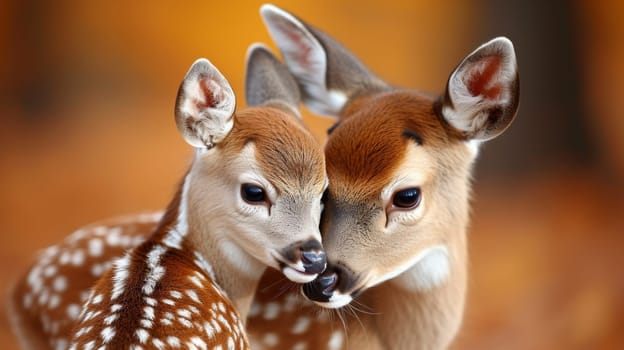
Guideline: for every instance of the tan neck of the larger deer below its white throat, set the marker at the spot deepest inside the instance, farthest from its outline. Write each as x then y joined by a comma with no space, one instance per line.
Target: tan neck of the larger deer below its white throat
427,316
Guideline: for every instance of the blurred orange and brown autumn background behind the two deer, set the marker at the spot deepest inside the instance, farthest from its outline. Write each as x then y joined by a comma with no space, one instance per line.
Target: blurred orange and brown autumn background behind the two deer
87,132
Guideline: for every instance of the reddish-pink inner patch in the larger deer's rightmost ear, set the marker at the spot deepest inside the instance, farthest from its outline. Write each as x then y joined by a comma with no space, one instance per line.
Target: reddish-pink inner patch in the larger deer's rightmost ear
481,80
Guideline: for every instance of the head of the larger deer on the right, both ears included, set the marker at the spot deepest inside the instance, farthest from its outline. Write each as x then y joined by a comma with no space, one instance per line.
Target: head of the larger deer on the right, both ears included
398,160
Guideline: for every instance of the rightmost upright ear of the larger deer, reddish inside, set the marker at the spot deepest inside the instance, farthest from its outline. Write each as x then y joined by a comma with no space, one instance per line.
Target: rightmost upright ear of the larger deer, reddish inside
482,93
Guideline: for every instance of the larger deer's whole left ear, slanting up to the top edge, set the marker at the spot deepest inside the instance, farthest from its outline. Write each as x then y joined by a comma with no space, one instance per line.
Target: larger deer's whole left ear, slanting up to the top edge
329,75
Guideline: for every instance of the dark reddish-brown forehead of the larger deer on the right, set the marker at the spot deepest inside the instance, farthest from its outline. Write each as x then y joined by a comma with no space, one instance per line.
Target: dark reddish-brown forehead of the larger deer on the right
364,151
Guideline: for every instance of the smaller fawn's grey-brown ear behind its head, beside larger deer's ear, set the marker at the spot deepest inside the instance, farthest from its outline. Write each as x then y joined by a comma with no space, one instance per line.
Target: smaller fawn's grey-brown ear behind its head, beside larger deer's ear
269,83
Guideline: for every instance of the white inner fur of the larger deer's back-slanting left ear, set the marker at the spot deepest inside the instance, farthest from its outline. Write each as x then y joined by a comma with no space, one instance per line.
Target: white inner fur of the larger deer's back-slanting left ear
306,59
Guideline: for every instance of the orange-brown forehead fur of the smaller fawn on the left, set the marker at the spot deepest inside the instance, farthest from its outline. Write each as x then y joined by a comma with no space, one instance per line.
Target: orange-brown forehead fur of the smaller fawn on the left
287,154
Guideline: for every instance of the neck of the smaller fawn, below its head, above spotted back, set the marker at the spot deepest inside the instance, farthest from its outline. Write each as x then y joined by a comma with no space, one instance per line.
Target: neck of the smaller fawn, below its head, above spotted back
234,271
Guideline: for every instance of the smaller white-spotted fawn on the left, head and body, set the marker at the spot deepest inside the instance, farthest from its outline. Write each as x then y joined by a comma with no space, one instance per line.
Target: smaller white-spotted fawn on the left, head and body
250,199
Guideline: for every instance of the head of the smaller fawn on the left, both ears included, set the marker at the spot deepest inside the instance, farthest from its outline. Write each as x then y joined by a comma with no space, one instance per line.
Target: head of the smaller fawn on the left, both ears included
258,174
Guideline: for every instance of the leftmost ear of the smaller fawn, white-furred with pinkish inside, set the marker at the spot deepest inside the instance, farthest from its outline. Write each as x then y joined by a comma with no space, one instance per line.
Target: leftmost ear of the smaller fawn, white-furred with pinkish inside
205,105
